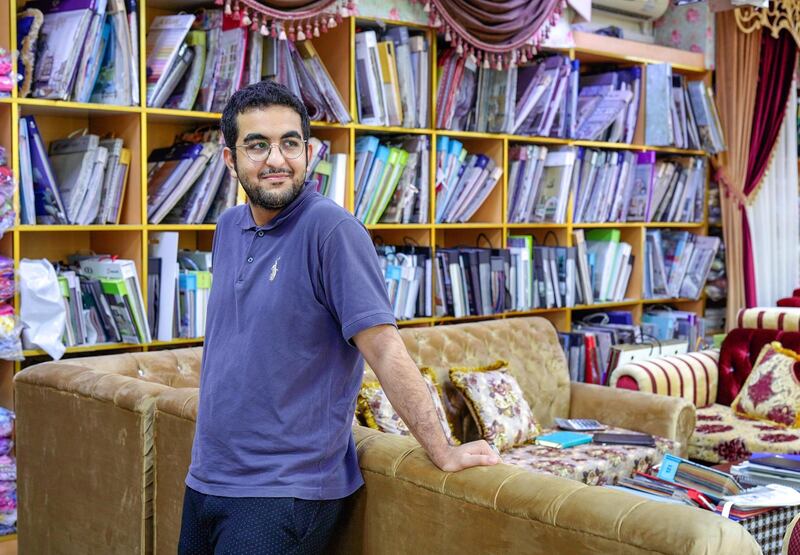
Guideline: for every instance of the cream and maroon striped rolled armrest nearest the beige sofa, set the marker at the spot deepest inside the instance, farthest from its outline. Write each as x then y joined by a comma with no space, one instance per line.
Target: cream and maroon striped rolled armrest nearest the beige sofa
692,376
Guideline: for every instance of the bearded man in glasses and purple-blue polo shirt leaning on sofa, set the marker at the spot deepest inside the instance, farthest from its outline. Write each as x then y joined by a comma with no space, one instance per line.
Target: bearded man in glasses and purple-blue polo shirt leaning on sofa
297,298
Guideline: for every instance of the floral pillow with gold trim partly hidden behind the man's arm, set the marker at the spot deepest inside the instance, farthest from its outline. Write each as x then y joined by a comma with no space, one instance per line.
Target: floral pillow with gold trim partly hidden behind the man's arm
379,414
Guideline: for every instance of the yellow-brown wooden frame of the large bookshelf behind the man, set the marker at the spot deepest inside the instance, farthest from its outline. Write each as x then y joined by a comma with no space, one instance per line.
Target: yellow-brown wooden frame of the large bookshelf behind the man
144,128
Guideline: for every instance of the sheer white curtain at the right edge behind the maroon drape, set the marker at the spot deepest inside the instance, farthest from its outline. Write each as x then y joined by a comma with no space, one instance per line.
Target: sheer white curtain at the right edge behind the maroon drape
774,218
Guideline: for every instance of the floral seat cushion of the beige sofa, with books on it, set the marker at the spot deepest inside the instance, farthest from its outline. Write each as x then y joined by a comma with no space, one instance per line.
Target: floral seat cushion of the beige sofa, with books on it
591,463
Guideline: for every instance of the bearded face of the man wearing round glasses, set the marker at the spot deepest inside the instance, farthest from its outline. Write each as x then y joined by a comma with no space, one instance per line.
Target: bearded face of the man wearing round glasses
276,181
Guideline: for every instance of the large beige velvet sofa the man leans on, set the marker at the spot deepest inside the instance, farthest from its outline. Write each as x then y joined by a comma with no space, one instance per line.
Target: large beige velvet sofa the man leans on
137,405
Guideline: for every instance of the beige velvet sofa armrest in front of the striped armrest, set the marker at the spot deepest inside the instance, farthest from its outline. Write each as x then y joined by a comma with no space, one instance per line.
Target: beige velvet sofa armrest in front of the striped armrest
669,417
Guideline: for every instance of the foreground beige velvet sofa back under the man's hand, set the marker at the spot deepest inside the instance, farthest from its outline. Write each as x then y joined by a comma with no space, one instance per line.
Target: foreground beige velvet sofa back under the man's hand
409,505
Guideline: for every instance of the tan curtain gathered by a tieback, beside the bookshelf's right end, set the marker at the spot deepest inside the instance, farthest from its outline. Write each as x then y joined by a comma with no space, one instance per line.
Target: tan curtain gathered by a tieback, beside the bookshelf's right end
737,63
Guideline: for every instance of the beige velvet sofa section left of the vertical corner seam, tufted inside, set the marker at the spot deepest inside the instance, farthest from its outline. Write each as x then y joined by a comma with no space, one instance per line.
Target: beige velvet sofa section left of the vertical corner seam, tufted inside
91,420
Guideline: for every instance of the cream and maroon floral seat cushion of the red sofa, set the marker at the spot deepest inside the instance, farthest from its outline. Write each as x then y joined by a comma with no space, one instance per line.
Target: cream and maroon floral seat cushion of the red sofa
722,436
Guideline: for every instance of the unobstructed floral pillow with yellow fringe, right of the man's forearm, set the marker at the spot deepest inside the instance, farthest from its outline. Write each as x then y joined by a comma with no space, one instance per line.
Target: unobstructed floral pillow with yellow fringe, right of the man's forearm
497,404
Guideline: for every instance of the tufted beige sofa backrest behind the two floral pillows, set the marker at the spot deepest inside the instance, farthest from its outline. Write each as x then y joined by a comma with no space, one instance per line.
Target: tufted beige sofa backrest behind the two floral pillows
529,344
